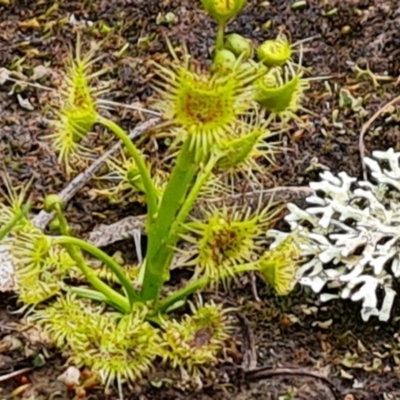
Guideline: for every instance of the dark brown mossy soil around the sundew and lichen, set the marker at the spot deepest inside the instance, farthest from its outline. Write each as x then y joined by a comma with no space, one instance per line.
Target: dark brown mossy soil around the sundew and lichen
296,331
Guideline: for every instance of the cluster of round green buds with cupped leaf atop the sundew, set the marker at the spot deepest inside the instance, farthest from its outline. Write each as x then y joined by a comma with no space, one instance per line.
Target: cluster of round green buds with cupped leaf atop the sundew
279,87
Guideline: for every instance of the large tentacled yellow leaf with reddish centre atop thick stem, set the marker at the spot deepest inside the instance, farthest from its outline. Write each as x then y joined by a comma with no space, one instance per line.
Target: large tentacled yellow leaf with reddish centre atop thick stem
202,105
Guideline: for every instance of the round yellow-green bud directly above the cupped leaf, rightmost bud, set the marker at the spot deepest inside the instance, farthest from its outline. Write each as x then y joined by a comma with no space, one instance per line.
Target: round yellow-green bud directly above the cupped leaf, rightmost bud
275,52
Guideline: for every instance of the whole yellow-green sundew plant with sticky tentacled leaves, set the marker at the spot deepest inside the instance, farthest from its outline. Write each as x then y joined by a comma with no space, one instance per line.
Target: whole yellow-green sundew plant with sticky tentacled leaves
218,119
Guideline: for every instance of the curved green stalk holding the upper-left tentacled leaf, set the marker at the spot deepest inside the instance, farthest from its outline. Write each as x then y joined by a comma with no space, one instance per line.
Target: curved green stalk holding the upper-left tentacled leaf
151,195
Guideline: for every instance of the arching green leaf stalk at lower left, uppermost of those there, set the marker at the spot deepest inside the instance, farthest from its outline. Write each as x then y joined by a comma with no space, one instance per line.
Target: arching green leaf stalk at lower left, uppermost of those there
106,259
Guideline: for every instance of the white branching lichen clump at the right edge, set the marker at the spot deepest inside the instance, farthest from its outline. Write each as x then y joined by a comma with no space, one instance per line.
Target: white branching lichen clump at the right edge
349,236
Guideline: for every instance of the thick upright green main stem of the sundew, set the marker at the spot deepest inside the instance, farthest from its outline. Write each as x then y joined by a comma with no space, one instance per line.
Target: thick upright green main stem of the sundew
161,237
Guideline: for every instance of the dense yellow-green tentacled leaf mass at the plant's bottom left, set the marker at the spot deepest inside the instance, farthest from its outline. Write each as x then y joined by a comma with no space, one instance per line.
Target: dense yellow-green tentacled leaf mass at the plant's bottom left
115,348
